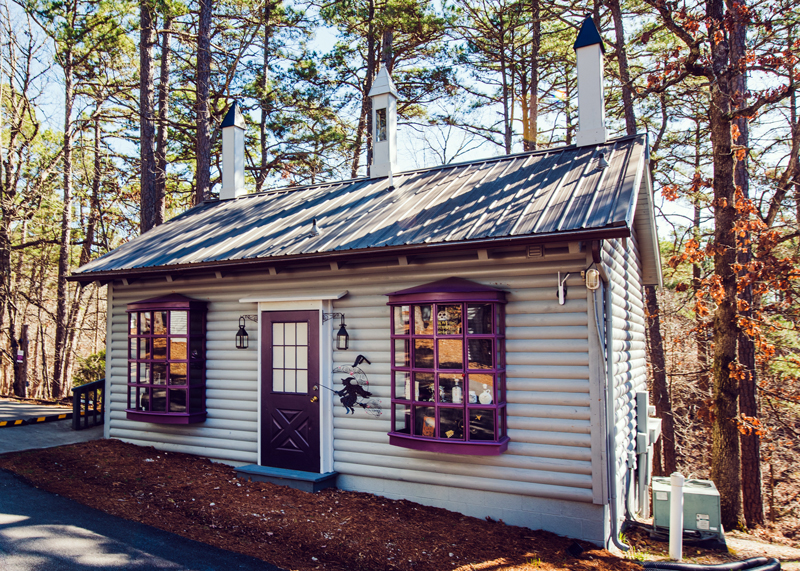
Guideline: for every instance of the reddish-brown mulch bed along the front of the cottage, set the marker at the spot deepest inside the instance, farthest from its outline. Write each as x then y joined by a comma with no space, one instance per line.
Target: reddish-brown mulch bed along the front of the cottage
332,530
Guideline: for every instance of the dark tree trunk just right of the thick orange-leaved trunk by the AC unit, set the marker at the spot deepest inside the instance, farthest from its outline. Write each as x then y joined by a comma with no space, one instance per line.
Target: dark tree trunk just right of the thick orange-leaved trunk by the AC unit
752,499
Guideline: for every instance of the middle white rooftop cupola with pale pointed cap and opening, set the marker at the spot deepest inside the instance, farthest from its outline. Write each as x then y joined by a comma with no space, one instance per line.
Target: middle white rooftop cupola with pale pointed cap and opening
384,125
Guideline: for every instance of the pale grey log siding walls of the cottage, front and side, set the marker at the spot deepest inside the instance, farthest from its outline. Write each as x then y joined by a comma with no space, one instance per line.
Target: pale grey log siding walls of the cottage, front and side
550,474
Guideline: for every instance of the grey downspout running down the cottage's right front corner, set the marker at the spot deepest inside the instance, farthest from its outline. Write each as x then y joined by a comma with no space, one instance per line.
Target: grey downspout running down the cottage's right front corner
611,423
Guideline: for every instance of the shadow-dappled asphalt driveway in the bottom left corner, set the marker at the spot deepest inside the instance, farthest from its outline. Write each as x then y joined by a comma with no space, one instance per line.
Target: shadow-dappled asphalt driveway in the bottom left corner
45,532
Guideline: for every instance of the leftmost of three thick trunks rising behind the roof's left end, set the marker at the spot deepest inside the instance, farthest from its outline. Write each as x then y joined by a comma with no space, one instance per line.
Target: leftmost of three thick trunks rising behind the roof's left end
147,41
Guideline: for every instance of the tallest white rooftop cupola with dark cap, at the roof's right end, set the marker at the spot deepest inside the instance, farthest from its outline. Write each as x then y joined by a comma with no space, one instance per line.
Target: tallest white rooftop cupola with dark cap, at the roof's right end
589,52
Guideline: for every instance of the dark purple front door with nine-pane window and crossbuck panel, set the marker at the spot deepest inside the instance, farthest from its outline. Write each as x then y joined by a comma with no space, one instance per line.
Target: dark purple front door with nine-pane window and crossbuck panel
289,405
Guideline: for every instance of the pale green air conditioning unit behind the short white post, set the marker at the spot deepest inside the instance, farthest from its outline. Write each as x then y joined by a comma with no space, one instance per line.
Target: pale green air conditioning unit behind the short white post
700,505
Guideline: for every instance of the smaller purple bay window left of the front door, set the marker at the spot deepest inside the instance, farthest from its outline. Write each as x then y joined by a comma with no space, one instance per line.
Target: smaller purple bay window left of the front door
166,360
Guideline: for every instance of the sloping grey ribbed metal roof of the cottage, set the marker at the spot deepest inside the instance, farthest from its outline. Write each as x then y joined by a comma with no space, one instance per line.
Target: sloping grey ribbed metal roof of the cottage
553,191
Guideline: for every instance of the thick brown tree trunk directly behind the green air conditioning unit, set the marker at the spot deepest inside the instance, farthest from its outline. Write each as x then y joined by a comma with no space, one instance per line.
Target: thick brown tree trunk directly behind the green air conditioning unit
725,449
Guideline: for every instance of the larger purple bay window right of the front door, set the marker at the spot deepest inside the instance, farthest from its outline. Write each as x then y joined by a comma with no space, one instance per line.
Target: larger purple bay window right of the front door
448,368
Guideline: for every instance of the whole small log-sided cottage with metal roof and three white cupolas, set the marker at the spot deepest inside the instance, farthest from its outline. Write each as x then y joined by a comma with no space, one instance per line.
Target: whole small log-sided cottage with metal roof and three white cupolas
470,336
